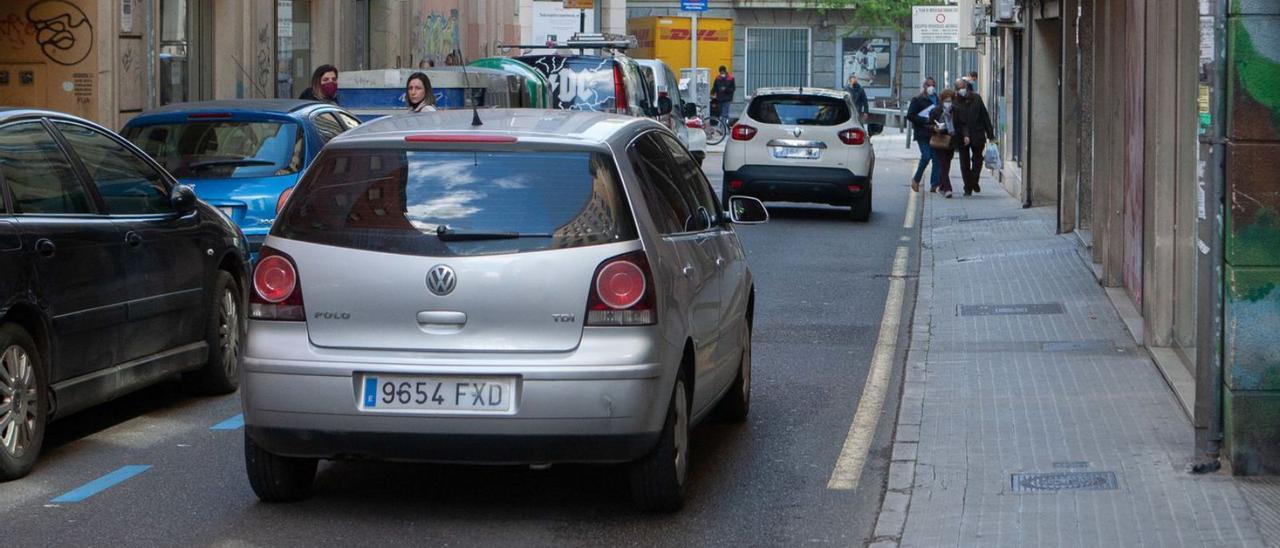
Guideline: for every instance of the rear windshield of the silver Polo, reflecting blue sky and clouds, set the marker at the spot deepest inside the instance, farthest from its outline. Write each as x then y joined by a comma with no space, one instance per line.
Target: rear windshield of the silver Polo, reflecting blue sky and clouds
458,203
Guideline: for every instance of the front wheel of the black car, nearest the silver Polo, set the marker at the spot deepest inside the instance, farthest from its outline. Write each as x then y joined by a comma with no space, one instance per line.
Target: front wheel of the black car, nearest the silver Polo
225,334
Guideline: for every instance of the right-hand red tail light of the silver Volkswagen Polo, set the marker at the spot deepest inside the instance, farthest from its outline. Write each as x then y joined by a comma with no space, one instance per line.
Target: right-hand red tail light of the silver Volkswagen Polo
623,293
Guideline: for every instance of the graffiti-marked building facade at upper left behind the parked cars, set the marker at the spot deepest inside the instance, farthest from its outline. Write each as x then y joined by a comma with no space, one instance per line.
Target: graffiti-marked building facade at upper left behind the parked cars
111,60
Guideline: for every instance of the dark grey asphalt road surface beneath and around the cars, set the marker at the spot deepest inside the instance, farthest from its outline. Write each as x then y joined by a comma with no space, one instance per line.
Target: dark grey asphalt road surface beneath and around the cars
821,282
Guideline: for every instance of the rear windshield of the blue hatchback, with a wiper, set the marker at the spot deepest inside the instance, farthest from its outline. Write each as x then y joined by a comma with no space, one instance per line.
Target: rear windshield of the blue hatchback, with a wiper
222,149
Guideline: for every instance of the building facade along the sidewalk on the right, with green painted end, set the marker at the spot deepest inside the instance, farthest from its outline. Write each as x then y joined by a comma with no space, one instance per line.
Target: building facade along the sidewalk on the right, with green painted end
1149,125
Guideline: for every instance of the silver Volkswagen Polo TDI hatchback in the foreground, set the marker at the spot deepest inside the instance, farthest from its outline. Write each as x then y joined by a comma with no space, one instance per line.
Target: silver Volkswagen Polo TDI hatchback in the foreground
548,287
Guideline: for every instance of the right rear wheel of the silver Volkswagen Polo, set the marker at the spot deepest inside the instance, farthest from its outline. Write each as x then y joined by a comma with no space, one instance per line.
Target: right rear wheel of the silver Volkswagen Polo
659,478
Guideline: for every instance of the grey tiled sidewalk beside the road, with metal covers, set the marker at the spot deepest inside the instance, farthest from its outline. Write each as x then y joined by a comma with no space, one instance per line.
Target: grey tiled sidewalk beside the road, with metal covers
1030,417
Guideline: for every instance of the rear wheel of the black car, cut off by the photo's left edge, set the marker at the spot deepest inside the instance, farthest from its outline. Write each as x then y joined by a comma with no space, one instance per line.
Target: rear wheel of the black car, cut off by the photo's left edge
24,403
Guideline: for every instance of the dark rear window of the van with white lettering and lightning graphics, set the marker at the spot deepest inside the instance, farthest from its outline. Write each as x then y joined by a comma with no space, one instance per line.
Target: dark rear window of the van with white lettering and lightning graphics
578,83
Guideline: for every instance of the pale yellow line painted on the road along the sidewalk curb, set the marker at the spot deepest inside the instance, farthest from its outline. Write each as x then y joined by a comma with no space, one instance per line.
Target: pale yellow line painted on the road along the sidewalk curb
853,456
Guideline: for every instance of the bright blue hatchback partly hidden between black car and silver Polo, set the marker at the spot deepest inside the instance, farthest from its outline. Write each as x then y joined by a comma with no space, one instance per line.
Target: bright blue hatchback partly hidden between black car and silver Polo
243,157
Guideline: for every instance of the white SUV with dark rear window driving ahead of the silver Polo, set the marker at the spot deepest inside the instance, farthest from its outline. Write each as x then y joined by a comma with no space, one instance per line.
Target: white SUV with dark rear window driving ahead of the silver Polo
802,145
